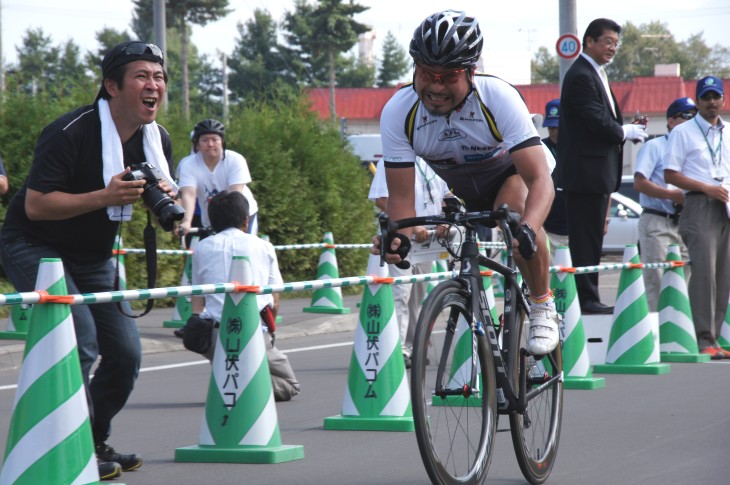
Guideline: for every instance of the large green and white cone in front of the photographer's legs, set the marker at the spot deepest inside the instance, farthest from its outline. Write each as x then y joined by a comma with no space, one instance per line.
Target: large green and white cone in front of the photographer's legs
49,440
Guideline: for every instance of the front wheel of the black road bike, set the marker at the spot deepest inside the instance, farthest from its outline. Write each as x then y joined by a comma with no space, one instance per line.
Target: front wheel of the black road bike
455,433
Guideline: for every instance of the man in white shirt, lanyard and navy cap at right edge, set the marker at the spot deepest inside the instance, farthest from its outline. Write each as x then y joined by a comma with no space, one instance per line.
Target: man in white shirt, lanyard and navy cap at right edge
698,162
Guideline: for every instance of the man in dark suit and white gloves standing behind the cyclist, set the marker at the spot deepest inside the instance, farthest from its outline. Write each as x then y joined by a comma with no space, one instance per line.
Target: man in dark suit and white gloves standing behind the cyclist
590,151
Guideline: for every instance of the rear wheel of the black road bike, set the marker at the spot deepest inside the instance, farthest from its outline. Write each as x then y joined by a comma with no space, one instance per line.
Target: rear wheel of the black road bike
535,434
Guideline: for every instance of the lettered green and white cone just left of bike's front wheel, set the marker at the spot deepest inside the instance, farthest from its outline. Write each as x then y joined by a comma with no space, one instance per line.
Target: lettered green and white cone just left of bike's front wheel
377,397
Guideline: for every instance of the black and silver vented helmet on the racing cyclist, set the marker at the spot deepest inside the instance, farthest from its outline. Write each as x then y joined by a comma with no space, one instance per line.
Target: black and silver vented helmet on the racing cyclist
450,39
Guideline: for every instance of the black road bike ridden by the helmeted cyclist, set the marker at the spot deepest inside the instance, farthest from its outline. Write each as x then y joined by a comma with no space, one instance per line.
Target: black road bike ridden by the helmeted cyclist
468,369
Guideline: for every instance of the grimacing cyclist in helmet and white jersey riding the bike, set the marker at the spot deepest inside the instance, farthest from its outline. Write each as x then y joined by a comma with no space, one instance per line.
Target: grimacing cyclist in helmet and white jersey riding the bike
476,133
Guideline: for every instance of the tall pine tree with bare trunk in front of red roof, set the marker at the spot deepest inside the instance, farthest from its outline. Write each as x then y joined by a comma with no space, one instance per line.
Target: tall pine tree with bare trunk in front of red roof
322,31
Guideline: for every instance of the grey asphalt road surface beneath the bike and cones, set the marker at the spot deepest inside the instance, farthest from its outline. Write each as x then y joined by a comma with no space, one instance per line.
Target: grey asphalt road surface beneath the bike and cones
663,430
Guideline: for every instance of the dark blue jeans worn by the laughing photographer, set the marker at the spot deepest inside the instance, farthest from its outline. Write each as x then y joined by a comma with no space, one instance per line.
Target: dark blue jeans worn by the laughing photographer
101,329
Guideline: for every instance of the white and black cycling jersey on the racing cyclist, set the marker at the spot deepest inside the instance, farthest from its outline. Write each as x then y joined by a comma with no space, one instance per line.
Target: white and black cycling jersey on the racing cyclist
467,147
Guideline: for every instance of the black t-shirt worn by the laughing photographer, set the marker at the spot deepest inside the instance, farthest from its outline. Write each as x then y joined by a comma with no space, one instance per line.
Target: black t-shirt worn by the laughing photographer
68,159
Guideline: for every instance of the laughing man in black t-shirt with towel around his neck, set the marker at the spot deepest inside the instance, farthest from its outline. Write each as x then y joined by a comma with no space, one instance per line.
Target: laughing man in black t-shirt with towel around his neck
77,193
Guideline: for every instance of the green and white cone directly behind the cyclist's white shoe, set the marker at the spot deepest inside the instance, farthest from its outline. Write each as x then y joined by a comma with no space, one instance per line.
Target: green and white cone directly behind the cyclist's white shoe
576,361
